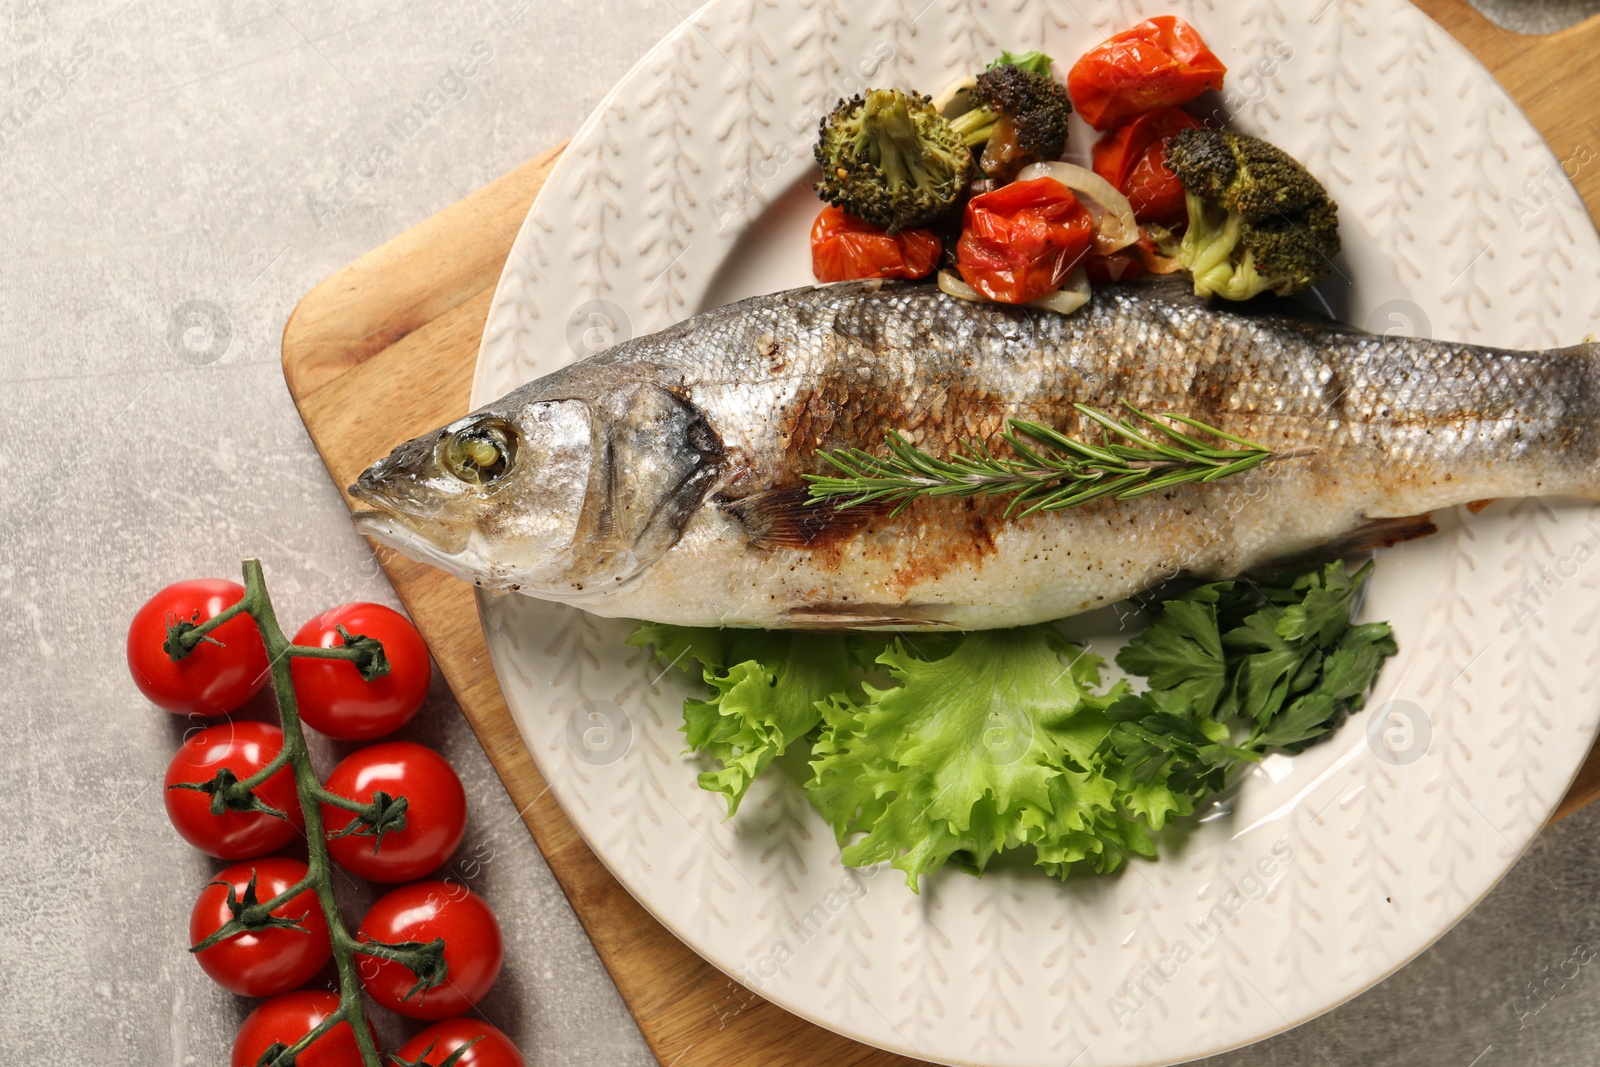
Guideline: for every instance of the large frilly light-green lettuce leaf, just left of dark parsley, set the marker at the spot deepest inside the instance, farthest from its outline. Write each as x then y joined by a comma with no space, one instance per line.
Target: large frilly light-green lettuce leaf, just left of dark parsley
991,748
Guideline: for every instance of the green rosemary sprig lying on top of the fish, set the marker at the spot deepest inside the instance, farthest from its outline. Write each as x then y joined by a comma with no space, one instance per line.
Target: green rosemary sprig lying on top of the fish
1047,471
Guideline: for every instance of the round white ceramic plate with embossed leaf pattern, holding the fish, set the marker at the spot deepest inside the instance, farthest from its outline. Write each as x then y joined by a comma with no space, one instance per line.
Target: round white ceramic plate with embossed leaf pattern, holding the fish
689,188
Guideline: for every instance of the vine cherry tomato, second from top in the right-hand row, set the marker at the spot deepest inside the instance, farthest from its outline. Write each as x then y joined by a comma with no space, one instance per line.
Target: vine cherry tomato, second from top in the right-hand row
436,813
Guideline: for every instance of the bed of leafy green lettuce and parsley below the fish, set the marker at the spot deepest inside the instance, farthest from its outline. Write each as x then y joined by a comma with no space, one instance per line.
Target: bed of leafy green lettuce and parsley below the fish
959,748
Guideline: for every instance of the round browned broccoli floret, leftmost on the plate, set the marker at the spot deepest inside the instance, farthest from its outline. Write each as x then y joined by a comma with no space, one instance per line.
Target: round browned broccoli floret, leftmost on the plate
890,159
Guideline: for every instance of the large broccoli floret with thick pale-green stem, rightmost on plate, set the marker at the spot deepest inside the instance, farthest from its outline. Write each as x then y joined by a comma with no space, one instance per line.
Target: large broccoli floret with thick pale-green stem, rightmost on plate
1258,222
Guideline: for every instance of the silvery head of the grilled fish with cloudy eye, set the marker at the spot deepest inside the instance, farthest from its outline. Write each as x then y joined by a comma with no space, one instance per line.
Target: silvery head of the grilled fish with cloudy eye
559,497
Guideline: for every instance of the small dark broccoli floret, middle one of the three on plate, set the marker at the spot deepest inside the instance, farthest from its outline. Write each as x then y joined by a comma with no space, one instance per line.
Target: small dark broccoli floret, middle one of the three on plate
1020,116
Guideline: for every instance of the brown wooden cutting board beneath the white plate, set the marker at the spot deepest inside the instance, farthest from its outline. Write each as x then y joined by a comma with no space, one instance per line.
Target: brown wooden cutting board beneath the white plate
385,351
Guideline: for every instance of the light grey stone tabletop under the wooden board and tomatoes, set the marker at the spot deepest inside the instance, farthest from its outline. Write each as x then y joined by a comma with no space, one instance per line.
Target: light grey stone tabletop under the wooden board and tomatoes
161,158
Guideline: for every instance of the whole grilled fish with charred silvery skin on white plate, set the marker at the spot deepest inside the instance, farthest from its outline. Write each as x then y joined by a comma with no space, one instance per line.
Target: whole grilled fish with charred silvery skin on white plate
679,495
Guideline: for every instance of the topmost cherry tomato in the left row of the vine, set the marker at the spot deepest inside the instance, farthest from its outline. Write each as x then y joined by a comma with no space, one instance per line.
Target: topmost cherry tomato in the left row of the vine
212,679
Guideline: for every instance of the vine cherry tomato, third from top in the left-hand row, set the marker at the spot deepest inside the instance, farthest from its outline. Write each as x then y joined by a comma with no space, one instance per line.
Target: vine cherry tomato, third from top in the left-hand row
265,962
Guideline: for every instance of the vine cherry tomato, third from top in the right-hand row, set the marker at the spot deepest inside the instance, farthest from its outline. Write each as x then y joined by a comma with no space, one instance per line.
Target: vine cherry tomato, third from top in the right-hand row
423,913
